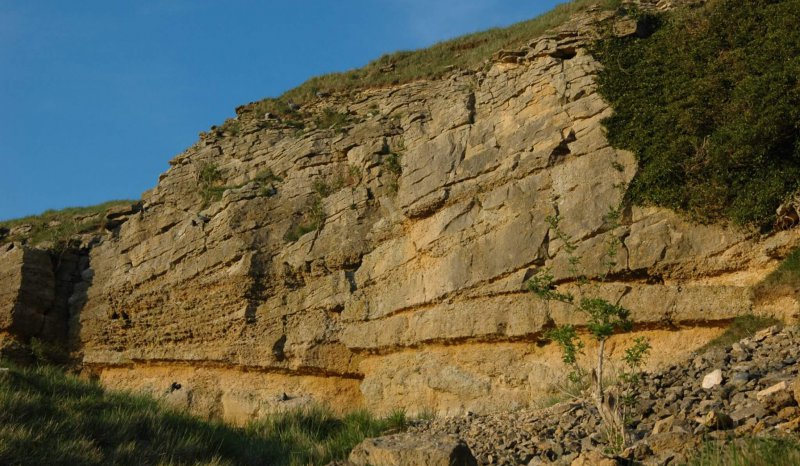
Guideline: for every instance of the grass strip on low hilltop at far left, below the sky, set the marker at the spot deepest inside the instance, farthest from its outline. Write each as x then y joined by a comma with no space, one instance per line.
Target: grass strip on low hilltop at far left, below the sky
56,227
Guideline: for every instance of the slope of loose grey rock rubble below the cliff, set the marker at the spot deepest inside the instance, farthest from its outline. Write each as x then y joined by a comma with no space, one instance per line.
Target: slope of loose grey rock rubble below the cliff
757,395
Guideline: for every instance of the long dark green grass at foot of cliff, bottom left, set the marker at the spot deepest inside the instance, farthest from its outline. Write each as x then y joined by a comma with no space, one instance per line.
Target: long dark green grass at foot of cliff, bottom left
47,417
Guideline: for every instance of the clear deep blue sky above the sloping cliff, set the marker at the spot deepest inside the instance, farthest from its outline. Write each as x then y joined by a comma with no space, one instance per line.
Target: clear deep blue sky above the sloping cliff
96,96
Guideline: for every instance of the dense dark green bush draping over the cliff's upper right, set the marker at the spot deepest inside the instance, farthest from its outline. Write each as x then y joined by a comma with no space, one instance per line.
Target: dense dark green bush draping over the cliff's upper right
710,105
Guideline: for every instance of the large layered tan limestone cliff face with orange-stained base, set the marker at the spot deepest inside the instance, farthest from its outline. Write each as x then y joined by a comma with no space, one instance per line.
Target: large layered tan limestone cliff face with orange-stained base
382,262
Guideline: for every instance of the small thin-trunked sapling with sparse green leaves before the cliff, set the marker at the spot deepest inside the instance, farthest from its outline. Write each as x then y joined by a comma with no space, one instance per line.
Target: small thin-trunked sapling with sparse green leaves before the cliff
603,319
